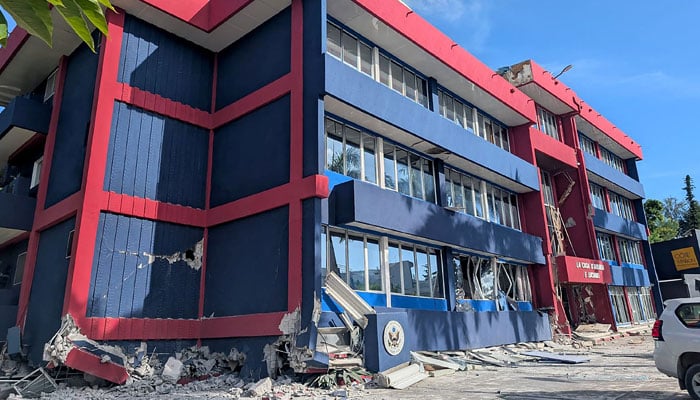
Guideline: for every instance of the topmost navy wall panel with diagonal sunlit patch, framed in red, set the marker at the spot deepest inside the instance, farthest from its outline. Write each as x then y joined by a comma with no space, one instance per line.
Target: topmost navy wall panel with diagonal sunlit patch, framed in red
159,62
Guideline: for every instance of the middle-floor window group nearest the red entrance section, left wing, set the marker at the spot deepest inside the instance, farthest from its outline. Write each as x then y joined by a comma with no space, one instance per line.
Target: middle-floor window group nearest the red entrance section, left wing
464,194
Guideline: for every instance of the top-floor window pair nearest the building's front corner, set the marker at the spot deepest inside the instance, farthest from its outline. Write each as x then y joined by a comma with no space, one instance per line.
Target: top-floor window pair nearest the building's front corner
359,54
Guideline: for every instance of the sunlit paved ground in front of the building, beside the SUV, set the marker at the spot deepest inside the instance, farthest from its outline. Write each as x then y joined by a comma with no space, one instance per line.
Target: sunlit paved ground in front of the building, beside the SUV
620,369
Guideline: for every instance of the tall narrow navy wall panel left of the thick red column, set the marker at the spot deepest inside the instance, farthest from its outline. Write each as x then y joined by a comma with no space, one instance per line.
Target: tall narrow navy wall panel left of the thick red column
73,125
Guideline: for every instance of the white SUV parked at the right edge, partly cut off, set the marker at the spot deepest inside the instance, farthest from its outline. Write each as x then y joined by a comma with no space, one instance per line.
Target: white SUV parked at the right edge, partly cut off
677,343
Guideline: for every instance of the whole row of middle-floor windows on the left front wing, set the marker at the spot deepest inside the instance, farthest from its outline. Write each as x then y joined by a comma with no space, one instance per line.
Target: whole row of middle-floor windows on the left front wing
362,155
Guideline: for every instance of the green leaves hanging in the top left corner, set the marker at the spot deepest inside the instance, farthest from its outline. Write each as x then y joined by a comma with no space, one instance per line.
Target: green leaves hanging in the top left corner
35,17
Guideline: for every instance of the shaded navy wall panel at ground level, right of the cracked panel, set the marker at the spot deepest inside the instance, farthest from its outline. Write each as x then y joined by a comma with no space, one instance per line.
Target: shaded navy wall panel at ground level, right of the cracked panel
248,265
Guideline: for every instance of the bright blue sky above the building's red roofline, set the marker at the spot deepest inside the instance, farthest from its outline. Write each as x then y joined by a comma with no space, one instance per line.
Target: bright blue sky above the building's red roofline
635,62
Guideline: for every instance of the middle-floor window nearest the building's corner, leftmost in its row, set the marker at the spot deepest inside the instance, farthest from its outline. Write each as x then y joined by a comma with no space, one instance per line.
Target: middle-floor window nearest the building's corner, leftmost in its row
350,152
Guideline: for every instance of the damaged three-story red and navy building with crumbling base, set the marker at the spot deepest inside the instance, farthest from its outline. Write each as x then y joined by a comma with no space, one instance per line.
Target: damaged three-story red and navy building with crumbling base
197,179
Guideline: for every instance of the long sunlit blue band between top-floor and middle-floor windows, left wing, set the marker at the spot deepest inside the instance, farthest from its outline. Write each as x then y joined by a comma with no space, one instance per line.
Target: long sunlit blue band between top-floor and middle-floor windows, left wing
361,91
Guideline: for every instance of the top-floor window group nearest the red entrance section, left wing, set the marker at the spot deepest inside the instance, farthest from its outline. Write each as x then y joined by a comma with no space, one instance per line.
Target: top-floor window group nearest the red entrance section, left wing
469,118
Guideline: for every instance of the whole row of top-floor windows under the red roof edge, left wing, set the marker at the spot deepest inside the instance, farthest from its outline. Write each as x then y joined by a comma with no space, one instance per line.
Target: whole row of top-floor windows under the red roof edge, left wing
374,62
